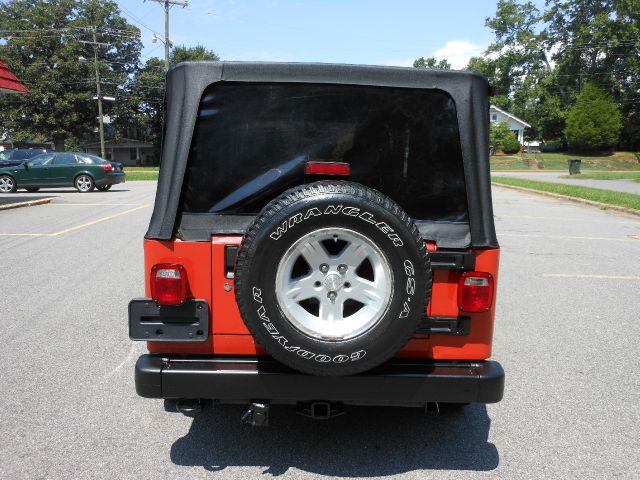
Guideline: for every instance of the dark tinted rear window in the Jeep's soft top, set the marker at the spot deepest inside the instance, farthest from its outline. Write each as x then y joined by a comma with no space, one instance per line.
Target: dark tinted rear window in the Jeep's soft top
252,140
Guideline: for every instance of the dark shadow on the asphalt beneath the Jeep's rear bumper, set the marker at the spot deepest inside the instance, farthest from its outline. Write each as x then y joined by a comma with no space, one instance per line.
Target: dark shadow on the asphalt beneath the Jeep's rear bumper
366,442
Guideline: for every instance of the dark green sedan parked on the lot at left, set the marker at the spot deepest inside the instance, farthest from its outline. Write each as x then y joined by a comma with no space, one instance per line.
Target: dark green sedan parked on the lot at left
81,170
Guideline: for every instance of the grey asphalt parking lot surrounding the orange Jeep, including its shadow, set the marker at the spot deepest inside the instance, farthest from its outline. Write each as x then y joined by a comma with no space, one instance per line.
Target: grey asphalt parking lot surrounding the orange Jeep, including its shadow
568,341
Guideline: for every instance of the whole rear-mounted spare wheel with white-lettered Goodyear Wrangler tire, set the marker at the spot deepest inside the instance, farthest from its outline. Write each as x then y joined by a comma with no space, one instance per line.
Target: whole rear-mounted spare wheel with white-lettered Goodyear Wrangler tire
332,278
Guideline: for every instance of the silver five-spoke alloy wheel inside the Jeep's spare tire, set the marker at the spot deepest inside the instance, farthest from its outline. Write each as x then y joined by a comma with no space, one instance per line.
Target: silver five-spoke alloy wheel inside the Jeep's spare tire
334,284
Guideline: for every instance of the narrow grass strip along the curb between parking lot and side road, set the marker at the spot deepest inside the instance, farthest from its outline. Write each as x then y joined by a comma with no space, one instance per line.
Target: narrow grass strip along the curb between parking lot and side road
609,197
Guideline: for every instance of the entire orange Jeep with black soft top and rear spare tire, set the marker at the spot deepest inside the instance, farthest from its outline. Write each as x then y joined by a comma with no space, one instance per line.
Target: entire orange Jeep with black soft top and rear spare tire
322,236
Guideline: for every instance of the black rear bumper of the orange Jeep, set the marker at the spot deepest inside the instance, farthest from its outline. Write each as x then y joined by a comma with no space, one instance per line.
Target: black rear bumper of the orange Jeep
244,379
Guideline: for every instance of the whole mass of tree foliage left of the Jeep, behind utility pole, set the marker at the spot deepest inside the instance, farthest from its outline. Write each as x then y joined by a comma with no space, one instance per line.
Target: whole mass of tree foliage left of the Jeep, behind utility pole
42,42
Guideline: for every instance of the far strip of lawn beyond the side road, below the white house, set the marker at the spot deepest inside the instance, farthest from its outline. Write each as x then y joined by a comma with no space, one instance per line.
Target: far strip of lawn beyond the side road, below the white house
558,161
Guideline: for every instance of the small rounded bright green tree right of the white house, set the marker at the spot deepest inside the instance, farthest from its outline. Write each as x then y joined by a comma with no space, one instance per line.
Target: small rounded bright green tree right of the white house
594,122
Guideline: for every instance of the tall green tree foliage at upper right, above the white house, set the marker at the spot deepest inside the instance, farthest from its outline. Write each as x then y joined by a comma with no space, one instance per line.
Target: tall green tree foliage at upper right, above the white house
541,59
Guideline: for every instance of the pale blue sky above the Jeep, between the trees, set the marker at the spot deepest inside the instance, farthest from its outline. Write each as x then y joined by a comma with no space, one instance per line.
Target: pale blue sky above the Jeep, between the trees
374,32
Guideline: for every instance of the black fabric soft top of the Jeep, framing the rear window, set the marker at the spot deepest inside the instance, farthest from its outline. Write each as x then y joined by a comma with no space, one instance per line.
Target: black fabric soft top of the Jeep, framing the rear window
187,82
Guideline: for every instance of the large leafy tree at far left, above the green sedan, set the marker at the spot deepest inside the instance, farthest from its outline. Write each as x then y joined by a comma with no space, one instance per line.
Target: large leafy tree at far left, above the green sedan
43,42
